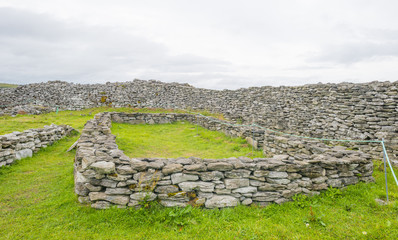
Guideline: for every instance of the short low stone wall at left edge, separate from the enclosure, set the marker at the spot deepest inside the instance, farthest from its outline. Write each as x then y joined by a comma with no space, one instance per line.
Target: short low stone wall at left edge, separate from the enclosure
17,145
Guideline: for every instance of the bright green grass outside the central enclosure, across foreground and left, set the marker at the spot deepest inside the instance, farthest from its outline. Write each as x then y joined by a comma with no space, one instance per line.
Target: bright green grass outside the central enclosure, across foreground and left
37,202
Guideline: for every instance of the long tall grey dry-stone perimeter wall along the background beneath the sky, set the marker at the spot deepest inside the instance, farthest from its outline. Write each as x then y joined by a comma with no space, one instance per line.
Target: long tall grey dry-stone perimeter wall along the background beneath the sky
356,111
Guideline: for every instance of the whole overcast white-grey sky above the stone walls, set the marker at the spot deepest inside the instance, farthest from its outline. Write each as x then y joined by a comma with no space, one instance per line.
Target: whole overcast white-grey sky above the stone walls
212,44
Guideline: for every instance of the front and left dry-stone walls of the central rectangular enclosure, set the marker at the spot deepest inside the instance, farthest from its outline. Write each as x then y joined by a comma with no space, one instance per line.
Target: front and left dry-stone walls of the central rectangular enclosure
105,176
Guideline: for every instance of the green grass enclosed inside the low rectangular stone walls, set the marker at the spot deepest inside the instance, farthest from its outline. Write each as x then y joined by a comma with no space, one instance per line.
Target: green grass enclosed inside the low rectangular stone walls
180,139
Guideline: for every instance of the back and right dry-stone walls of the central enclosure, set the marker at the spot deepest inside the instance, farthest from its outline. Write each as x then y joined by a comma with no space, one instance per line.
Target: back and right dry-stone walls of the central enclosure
276,144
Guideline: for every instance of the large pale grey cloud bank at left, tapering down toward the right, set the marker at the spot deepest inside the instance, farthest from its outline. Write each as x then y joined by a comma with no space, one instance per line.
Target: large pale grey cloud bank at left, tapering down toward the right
36,47
